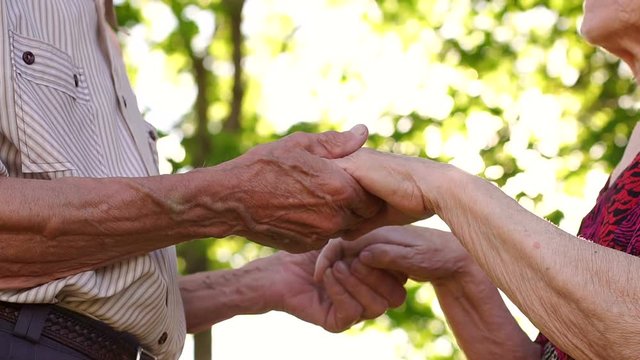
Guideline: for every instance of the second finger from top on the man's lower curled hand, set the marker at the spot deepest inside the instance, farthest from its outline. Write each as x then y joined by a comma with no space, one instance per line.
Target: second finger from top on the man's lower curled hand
388,285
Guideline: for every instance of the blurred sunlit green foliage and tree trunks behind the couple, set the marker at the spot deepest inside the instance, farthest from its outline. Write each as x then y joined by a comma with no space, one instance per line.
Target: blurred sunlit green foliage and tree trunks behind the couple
506,90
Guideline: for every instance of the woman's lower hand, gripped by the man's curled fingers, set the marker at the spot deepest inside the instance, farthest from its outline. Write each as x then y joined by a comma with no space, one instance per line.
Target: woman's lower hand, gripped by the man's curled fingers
421,254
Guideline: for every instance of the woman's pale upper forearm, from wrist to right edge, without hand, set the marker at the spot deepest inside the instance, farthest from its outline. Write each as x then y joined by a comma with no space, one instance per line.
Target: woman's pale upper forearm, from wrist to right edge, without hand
565,285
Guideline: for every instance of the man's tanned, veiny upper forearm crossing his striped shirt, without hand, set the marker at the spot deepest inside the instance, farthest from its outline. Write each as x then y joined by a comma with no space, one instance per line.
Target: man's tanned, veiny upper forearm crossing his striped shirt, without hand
51,229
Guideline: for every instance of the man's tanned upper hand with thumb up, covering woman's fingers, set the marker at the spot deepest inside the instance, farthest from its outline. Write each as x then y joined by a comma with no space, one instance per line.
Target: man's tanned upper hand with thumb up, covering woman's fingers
293,197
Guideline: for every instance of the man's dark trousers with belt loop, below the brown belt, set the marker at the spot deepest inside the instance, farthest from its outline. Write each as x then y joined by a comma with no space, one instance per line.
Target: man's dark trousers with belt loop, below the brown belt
24,340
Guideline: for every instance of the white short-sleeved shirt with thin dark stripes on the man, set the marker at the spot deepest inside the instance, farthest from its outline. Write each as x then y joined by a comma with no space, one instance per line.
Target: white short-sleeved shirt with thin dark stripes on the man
67,109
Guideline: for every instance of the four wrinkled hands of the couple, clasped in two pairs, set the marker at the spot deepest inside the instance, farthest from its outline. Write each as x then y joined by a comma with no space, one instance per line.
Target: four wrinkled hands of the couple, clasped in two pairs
324,186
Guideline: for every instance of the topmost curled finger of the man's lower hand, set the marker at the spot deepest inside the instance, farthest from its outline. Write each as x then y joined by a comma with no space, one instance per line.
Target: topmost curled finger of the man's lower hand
389,257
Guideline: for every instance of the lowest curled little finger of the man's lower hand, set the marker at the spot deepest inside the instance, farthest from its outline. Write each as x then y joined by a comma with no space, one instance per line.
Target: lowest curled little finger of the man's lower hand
345,311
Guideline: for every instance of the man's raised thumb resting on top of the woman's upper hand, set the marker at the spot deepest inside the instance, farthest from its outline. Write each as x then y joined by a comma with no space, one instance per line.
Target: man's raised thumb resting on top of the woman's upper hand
334,145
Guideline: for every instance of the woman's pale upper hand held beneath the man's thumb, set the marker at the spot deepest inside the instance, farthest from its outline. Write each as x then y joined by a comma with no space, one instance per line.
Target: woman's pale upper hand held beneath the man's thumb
410,186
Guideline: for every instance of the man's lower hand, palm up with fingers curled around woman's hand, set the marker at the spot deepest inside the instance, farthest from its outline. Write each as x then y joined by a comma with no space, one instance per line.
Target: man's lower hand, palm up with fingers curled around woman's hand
347,294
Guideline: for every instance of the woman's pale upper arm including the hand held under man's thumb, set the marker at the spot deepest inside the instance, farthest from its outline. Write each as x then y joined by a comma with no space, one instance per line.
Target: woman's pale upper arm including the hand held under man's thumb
582,296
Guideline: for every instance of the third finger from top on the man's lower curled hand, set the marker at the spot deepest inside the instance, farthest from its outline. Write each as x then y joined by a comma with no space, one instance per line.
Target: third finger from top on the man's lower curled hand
373,304
